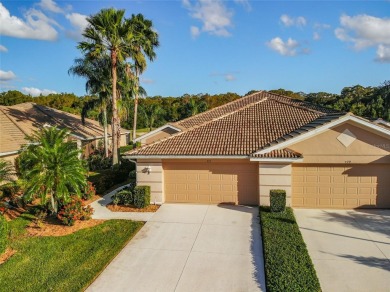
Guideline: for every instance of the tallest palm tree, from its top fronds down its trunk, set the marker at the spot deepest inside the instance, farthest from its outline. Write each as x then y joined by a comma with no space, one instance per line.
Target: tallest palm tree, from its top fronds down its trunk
109,33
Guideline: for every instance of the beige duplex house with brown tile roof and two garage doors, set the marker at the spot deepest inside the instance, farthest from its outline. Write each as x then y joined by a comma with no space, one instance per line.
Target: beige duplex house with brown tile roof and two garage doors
238,152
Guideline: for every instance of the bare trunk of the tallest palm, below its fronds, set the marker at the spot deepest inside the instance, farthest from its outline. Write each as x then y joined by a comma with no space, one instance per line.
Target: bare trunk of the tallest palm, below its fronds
115,117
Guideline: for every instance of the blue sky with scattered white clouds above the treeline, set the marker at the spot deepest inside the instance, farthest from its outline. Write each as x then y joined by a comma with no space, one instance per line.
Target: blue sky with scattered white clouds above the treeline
207,46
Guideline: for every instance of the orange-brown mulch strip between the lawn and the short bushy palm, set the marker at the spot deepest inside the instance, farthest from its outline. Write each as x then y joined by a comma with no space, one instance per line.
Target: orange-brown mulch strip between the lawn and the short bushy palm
53,227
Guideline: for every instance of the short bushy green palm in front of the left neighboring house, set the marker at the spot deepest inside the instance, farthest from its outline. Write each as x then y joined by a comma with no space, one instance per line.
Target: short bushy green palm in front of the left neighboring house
50,167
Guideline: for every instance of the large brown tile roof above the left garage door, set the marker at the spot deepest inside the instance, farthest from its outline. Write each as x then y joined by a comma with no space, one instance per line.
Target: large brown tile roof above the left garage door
239,128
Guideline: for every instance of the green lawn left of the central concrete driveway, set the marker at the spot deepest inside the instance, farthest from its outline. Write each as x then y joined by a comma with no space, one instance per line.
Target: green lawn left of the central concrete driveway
66,263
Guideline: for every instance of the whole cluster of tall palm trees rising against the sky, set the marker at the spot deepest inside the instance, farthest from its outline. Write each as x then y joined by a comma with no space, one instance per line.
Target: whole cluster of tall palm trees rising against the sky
115,53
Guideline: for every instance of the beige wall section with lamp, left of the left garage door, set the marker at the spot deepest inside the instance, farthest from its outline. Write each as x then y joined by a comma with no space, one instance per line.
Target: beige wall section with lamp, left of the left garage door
154,178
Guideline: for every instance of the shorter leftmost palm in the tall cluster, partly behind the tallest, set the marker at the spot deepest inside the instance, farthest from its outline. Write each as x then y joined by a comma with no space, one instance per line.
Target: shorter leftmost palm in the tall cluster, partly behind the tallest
98,75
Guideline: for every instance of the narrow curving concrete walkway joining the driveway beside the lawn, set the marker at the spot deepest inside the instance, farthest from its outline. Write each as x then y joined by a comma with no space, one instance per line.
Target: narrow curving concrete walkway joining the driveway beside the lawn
102,212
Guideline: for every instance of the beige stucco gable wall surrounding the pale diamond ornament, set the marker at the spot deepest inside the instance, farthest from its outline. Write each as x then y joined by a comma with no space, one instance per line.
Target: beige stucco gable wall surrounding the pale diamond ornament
369,147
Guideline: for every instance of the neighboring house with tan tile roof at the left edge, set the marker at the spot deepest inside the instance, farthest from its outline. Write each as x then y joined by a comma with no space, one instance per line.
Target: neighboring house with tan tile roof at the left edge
23,119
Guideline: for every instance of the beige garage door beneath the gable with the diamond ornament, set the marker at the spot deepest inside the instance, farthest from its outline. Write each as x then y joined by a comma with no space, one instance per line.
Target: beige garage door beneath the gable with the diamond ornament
341,186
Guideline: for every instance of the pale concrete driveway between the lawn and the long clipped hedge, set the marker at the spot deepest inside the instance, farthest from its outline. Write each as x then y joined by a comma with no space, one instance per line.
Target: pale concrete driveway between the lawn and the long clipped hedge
187,247
